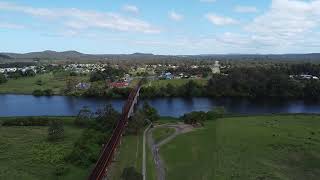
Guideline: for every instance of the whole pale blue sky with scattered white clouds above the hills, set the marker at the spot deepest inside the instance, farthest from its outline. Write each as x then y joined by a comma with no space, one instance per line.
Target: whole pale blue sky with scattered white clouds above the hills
184,27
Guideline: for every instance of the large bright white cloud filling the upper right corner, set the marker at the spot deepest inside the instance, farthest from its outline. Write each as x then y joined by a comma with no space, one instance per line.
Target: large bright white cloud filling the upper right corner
286,21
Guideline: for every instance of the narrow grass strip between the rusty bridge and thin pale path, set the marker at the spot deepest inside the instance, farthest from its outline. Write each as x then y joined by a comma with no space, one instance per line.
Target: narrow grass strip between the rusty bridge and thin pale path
129,154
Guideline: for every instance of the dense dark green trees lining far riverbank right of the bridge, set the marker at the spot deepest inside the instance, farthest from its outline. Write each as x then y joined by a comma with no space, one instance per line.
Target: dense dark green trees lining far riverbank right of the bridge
247,82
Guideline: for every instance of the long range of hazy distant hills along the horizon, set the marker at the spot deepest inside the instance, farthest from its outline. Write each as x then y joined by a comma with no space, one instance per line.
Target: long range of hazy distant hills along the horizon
77,56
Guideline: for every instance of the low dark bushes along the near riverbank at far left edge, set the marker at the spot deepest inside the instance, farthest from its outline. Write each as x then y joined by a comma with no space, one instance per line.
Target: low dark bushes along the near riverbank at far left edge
28,121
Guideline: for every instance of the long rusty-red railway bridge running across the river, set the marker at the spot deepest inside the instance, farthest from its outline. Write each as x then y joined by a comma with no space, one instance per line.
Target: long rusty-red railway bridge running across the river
106,156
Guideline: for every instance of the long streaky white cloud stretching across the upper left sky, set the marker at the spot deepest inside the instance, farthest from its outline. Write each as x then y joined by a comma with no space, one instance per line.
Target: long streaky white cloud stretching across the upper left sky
83,19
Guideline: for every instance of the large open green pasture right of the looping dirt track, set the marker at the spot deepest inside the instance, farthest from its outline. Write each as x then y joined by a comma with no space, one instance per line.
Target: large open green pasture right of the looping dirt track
262,147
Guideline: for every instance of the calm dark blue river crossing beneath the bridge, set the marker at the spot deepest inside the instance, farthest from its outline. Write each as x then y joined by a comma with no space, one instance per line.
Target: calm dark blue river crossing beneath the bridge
28,105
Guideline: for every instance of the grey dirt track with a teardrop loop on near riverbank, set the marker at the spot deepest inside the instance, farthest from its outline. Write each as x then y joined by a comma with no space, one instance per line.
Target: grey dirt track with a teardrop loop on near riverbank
160,166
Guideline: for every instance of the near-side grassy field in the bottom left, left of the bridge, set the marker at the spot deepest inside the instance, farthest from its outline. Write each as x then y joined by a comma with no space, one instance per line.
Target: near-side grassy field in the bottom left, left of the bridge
26,154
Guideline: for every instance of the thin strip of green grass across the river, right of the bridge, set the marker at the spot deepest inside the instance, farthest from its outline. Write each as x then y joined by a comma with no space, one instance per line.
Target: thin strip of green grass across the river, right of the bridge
176,82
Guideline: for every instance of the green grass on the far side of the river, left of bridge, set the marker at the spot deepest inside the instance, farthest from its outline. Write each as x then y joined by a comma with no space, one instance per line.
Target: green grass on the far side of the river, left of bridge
26,85
